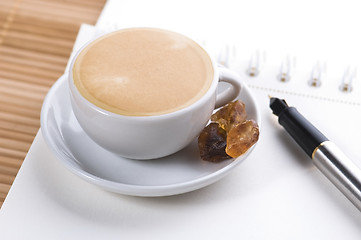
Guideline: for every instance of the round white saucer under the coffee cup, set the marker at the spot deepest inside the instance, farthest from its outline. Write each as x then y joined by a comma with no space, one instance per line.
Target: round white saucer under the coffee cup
179,173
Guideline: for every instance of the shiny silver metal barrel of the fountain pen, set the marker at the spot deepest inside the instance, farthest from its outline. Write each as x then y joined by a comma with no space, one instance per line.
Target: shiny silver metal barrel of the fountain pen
340,170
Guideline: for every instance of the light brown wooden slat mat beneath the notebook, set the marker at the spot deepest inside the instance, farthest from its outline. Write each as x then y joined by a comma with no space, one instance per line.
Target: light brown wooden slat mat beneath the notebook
36,39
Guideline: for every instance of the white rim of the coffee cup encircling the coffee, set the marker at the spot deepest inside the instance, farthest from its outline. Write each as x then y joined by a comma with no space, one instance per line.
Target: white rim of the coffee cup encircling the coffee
211,90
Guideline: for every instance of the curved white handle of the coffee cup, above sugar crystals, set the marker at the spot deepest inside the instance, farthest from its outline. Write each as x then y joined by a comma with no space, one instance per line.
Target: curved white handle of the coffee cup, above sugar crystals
228,76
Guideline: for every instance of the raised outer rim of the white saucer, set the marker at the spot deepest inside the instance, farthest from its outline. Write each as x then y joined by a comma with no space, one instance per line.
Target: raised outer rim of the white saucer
132,189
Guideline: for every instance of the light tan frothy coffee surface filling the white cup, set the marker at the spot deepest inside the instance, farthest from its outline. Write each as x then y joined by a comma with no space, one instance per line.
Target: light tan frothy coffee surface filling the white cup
143,72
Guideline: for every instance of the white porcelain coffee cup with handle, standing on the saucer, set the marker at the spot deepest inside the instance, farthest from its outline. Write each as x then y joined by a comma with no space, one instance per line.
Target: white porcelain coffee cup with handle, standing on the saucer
149,137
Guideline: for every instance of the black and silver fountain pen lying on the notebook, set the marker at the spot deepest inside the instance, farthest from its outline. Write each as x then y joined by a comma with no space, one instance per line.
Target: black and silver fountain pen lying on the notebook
327,157
